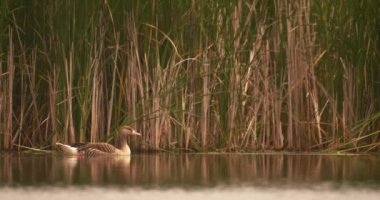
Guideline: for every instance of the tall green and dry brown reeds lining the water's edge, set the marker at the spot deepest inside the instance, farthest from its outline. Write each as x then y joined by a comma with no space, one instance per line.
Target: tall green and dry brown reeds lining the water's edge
252,76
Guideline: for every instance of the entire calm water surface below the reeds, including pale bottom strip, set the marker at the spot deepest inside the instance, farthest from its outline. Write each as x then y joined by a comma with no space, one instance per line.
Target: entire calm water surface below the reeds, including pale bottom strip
190,176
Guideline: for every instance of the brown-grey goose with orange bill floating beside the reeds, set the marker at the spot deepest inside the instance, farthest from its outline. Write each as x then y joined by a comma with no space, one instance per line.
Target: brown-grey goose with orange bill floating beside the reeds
101,148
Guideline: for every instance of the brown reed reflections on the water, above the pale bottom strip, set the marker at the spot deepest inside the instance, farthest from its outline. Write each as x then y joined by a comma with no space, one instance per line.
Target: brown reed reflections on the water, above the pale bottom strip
190,170
